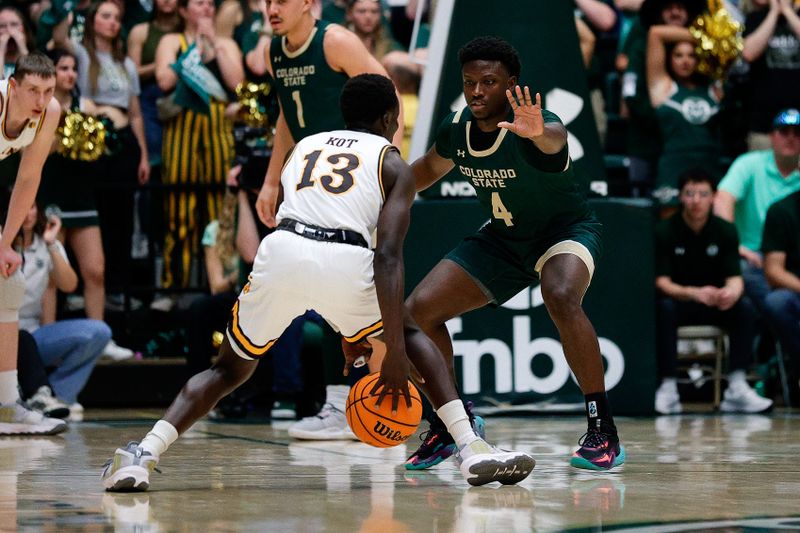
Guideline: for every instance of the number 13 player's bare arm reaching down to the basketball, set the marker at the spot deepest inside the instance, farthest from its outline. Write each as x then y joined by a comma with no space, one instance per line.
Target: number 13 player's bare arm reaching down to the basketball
389,275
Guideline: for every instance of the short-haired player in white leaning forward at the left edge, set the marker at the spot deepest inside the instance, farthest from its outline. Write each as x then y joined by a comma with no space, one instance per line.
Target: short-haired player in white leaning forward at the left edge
29,116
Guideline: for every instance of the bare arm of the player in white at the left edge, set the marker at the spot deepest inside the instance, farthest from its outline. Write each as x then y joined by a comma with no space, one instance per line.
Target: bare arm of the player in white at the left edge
25,187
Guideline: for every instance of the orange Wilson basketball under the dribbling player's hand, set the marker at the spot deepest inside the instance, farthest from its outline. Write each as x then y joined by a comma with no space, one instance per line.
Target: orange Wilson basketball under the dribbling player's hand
377,425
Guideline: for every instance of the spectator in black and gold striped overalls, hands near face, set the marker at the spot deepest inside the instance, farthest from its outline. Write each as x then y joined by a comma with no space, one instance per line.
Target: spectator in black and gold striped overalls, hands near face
198,140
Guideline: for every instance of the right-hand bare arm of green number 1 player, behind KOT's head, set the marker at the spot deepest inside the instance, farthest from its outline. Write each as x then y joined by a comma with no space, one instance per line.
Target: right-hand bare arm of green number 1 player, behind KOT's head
345,52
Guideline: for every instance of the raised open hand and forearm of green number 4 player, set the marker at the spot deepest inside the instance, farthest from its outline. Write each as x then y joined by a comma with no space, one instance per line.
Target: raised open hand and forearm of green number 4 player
529,123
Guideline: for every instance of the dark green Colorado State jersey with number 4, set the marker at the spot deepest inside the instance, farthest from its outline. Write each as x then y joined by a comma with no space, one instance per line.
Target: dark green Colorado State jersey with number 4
524,200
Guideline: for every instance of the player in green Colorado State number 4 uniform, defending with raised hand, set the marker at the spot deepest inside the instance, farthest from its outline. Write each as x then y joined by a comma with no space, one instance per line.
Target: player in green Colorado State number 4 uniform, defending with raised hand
515,155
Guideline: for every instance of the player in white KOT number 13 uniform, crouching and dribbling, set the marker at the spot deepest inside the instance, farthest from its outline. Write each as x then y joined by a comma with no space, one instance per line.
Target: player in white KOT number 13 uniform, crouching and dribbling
339,188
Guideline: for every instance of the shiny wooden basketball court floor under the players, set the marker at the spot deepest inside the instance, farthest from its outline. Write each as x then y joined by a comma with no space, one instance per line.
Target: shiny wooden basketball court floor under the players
684,473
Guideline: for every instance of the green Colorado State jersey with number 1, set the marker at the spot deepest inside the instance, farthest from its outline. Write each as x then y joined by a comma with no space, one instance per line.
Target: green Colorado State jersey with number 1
308,88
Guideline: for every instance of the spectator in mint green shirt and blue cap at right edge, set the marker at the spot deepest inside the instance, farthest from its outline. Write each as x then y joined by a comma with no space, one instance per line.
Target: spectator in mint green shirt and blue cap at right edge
755,181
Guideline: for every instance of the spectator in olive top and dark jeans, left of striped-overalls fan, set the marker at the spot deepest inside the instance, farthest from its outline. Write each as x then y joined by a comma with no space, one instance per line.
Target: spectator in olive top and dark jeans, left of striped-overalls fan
142,43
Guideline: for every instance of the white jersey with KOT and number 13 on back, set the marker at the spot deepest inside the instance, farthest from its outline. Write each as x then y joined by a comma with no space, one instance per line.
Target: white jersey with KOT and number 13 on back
333,180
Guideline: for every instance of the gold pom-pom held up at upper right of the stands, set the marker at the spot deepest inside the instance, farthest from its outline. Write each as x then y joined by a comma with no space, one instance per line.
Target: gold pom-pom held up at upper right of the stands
719,40
